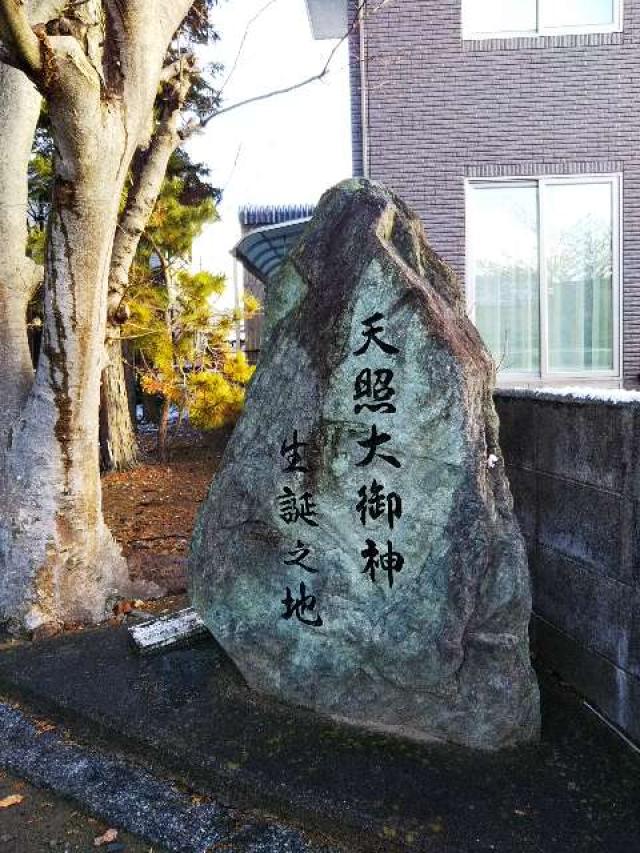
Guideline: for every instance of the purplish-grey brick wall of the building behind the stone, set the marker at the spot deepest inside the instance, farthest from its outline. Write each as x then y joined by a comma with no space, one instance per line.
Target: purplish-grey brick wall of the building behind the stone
439,109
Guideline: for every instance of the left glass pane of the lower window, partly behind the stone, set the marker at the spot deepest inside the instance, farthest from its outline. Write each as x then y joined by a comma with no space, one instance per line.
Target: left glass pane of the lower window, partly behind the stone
505,256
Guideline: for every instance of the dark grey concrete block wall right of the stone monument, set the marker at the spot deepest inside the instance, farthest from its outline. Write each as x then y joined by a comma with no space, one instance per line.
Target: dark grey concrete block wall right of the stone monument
574,468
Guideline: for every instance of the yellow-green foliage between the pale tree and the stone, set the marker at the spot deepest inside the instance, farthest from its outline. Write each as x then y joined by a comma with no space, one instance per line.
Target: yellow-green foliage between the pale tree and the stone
183,354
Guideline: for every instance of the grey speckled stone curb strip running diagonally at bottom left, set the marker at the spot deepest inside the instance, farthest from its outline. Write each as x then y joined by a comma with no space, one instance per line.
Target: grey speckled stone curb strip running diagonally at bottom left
131,798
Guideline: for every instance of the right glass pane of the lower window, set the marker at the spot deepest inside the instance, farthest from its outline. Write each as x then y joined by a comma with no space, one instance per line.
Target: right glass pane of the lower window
578,243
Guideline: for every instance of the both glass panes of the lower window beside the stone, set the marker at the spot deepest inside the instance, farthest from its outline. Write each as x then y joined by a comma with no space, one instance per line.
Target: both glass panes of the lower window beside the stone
568,227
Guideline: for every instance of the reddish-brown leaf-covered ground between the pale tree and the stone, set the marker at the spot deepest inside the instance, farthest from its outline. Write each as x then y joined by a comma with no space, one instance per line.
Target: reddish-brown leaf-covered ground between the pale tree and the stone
151,510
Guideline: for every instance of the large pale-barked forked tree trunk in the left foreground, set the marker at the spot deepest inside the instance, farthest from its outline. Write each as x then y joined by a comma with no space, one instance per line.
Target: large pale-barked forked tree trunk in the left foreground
58,561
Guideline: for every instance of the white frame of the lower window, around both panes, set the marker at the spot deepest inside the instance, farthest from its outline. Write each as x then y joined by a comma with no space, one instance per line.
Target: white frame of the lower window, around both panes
544,376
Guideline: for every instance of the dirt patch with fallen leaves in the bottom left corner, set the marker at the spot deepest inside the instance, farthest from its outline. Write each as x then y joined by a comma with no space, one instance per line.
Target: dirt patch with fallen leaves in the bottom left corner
43,822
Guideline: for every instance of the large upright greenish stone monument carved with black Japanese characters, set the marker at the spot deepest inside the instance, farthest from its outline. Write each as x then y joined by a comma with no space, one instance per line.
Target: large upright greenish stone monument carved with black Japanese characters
357,552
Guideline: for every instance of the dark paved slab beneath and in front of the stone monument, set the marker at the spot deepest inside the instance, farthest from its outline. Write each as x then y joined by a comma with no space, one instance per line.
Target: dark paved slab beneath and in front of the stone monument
188,712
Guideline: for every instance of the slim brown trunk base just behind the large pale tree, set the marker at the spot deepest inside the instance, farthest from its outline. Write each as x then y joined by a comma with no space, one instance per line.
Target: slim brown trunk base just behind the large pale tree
118,445
